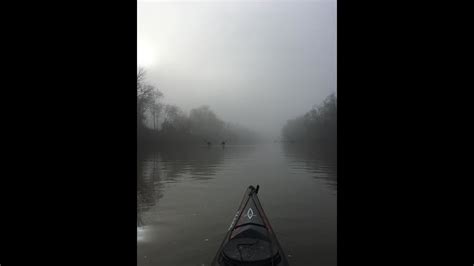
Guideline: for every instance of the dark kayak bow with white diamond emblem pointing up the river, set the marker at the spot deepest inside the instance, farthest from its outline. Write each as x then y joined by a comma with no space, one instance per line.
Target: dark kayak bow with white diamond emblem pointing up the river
250,239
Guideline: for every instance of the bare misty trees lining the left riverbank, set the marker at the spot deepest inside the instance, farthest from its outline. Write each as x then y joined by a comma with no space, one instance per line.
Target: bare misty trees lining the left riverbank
160,124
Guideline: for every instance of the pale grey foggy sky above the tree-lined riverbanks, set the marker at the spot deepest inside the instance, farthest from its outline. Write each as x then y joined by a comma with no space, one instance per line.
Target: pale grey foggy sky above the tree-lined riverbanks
254,63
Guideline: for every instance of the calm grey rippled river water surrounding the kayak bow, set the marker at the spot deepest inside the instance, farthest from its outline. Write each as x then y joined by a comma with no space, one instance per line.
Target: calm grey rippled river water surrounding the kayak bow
188,197
